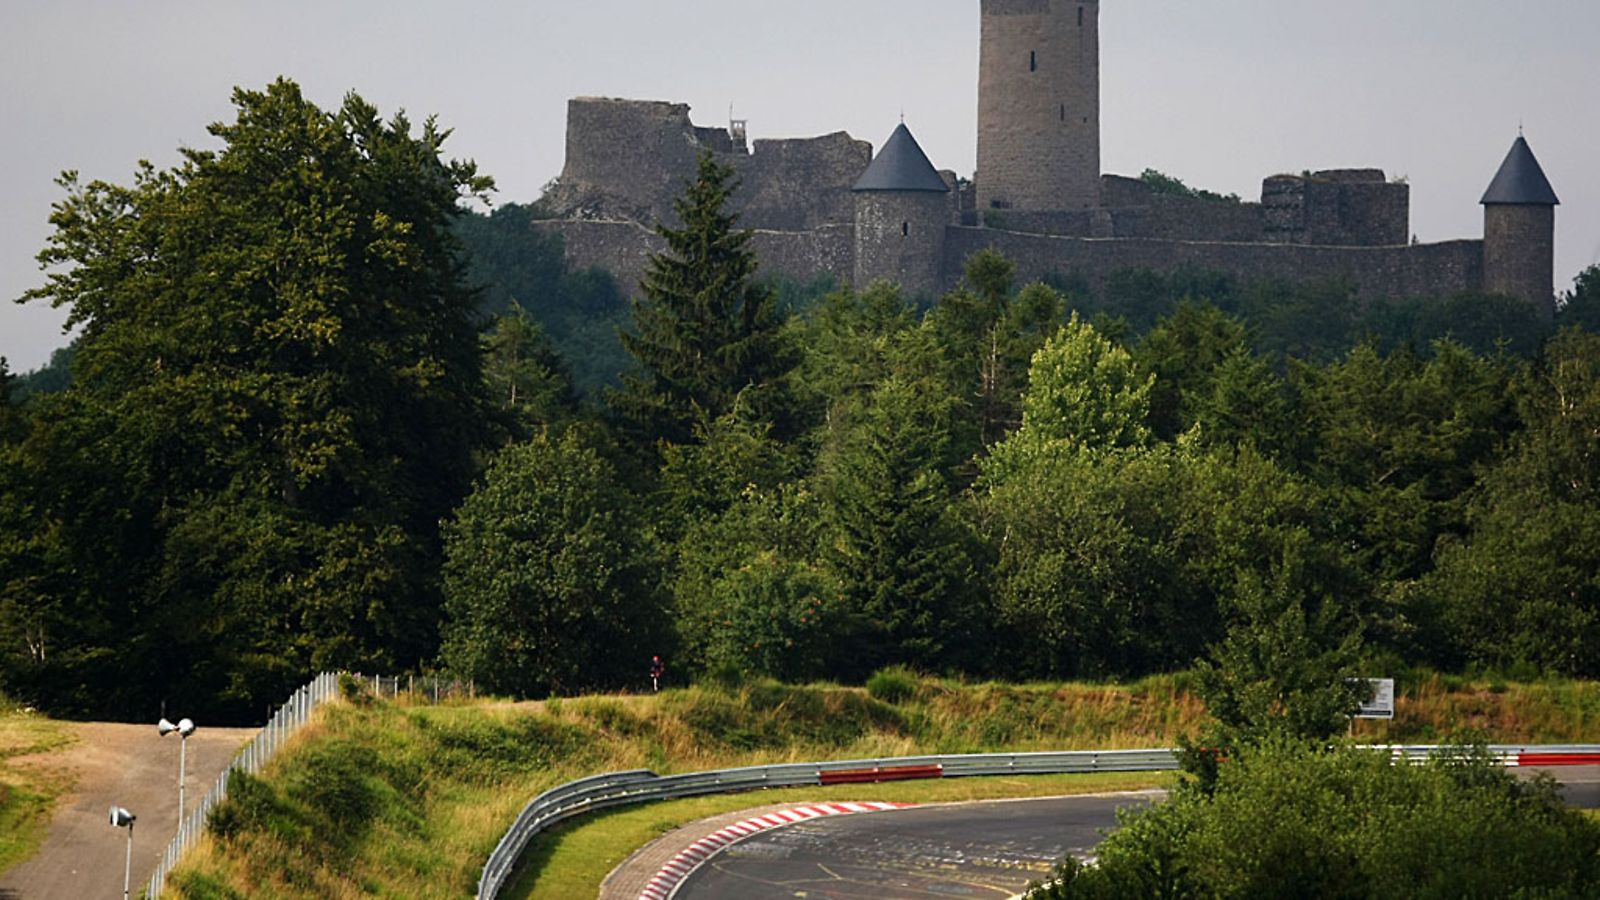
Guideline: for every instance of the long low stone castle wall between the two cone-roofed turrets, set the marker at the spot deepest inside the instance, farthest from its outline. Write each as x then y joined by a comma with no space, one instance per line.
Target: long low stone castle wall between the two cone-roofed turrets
1430,270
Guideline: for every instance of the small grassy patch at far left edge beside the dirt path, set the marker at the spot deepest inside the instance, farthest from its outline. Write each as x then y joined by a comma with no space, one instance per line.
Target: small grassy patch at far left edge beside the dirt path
28,790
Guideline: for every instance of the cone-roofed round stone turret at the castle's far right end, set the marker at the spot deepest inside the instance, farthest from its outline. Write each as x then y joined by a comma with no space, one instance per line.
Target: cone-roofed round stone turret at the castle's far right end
1519,230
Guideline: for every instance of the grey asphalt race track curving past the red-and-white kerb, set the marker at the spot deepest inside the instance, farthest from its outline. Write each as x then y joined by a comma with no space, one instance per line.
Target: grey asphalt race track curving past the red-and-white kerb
970,851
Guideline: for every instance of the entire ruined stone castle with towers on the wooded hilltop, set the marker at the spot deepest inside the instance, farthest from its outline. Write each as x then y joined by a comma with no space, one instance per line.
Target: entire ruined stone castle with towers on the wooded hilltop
830,206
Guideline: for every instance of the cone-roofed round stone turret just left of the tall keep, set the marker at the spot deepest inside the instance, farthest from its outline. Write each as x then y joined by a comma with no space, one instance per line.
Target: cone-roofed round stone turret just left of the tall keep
903,207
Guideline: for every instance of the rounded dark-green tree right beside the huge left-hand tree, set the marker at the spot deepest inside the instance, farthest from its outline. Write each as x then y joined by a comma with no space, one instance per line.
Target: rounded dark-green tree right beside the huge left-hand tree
543,589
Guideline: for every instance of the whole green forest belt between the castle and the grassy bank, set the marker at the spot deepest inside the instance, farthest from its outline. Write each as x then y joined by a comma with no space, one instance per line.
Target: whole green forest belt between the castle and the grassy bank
322,414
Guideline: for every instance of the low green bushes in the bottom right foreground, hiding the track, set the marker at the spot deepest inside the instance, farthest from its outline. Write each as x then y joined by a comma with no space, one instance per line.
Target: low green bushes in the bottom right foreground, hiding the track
1286,821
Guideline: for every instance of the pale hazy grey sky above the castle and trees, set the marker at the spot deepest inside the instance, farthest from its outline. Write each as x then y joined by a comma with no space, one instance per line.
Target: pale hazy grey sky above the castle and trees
1218,94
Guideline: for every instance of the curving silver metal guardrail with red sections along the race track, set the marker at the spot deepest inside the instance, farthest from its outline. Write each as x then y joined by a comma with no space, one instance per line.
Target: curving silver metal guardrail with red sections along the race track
622,789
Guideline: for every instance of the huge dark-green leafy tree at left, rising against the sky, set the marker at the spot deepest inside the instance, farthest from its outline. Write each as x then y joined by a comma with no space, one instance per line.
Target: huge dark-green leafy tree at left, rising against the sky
276,398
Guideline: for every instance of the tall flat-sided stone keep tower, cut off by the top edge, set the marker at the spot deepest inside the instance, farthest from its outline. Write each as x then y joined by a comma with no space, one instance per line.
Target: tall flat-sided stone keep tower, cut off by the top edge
1039,106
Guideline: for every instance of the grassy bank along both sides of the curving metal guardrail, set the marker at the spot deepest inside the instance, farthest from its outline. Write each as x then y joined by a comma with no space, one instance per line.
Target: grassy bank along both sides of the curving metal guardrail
407,802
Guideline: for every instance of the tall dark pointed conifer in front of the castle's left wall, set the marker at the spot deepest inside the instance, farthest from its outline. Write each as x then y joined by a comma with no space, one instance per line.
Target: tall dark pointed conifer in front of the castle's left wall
705,331
